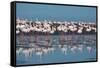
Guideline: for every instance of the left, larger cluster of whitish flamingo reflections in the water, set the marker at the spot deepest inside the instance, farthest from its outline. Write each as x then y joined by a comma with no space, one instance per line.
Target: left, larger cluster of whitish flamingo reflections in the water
37,51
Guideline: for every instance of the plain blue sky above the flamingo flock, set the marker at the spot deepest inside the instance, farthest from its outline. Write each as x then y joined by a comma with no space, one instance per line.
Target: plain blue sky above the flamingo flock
55,12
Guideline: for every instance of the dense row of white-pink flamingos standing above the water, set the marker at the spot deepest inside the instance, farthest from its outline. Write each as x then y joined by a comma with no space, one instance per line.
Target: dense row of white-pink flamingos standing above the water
51,27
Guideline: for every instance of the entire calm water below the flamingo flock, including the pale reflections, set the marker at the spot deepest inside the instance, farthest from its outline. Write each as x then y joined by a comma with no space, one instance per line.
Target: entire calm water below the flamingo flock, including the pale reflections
35,49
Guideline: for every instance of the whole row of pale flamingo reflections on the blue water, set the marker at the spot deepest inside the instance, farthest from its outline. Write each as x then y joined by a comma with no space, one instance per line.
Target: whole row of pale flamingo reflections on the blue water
27,52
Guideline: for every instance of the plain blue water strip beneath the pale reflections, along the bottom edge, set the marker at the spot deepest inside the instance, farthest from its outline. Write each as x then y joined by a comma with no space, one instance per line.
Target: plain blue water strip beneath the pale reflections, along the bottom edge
57,57
